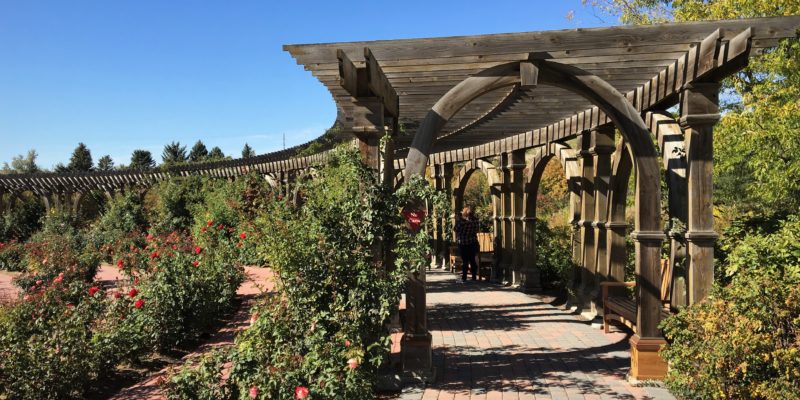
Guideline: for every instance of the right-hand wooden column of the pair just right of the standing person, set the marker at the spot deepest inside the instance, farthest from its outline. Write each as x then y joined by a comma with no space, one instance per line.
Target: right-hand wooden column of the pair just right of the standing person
516,168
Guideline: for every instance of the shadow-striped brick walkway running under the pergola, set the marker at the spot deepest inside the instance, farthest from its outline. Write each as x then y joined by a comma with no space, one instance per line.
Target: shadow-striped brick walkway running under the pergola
492,342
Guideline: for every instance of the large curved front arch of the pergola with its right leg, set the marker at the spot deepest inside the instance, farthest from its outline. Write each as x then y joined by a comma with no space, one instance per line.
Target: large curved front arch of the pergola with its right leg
648,234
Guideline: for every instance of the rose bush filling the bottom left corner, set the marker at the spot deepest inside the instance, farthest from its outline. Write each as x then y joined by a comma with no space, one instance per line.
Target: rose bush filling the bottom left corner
50,346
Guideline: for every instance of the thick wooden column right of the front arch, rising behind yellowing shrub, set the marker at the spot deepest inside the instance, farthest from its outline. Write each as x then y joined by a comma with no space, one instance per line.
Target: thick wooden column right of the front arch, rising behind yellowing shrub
699,113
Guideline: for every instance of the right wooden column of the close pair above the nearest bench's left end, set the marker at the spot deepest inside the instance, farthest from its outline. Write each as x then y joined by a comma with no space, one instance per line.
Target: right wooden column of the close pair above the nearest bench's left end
602,147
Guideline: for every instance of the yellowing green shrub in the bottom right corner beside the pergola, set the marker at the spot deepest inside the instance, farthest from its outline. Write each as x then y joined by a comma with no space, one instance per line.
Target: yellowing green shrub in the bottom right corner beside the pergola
744,340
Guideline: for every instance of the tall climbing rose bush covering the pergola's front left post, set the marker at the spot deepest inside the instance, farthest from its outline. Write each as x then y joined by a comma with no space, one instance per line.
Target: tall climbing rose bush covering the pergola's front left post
324,331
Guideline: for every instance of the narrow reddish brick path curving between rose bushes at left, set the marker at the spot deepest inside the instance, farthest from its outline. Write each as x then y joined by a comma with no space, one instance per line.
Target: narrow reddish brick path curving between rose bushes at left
257,281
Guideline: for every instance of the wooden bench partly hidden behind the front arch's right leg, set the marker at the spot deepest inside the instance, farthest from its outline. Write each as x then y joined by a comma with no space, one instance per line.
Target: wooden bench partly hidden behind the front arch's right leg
623,309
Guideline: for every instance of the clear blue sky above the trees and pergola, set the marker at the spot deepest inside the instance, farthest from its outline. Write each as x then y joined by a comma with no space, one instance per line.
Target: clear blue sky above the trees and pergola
125,75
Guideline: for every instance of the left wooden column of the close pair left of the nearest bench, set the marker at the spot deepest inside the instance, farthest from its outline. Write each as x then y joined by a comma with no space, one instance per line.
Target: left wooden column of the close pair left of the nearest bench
586,278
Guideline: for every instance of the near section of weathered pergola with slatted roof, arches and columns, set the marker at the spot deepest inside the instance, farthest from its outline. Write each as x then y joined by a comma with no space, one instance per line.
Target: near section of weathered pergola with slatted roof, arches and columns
520,99
